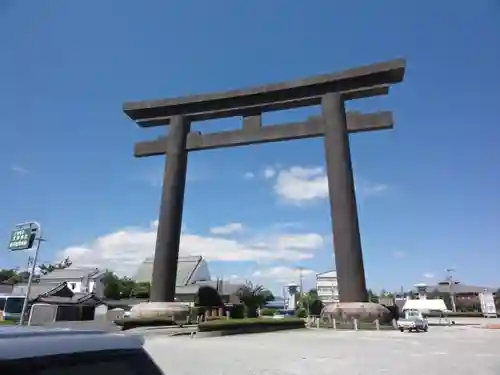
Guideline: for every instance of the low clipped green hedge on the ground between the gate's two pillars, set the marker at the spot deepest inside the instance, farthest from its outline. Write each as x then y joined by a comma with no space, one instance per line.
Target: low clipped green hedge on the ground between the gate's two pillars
251,324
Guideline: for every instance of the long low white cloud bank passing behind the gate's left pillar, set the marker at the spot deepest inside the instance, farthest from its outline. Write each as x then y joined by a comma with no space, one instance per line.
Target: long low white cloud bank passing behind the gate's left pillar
124,250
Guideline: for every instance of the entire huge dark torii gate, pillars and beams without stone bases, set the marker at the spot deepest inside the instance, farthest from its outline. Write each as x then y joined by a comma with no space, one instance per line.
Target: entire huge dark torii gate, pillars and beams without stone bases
330,91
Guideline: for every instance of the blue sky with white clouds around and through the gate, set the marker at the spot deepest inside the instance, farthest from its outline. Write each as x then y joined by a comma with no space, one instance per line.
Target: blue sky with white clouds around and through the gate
427,191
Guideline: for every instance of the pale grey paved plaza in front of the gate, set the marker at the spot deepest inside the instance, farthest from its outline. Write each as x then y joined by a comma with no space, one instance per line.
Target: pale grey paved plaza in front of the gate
454,350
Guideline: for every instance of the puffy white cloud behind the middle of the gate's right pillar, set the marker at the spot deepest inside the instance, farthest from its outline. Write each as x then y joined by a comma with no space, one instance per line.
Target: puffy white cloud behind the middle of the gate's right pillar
305,184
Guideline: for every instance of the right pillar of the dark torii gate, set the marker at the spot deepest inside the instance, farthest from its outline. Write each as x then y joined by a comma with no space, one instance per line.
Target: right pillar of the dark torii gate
343,208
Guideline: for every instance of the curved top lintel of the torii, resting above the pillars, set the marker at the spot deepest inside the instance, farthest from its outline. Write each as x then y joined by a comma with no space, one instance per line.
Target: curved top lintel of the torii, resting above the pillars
355,83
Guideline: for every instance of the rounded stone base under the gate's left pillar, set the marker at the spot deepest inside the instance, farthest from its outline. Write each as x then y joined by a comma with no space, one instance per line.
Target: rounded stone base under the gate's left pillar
176,311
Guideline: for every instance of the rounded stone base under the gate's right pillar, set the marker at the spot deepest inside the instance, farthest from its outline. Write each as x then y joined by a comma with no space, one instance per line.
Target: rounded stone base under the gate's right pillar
362,311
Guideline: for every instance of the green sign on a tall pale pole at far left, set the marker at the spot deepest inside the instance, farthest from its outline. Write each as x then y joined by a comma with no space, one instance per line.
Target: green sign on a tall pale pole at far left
27,236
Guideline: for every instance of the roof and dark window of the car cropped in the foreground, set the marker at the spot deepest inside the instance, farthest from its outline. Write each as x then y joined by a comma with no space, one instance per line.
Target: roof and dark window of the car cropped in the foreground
49,351
